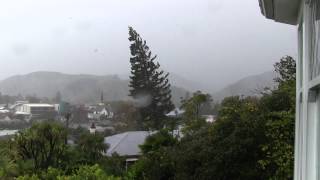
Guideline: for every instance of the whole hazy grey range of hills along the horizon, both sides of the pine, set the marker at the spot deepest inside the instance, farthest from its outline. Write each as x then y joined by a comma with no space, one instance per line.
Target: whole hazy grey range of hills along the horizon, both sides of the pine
85,88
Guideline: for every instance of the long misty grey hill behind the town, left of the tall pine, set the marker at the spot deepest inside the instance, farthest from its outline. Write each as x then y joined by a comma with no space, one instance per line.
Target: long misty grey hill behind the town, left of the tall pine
80,88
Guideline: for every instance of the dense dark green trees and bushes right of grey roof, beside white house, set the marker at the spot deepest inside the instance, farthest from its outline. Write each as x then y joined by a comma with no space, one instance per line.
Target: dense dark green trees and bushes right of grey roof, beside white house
252,138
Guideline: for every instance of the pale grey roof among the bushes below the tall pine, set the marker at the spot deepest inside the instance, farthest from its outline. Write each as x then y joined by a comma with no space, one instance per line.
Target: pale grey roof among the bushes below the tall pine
126,144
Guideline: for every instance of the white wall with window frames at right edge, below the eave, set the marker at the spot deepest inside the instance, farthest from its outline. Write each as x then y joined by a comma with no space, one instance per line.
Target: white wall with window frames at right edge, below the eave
307,101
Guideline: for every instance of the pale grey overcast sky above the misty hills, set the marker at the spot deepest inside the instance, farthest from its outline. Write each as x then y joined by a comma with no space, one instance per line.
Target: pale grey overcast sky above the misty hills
212,41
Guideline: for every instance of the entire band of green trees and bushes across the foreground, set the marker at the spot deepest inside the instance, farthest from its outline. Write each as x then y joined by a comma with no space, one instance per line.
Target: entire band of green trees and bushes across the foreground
252,138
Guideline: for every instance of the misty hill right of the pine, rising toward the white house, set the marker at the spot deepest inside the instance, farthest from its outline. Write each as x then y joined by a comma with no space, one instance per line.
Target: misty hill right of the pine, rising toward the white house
247,86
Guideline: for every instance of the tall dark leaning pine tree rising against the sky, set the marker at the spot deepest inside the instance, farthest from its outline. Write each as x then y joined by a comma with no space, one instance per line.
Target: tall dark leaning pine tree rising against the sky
149,85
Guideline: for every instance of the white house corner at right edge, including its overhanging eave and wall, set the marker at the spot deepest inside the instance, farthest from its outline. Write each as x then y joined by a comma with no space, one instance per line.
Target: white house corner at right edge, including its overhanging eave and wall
305,15
